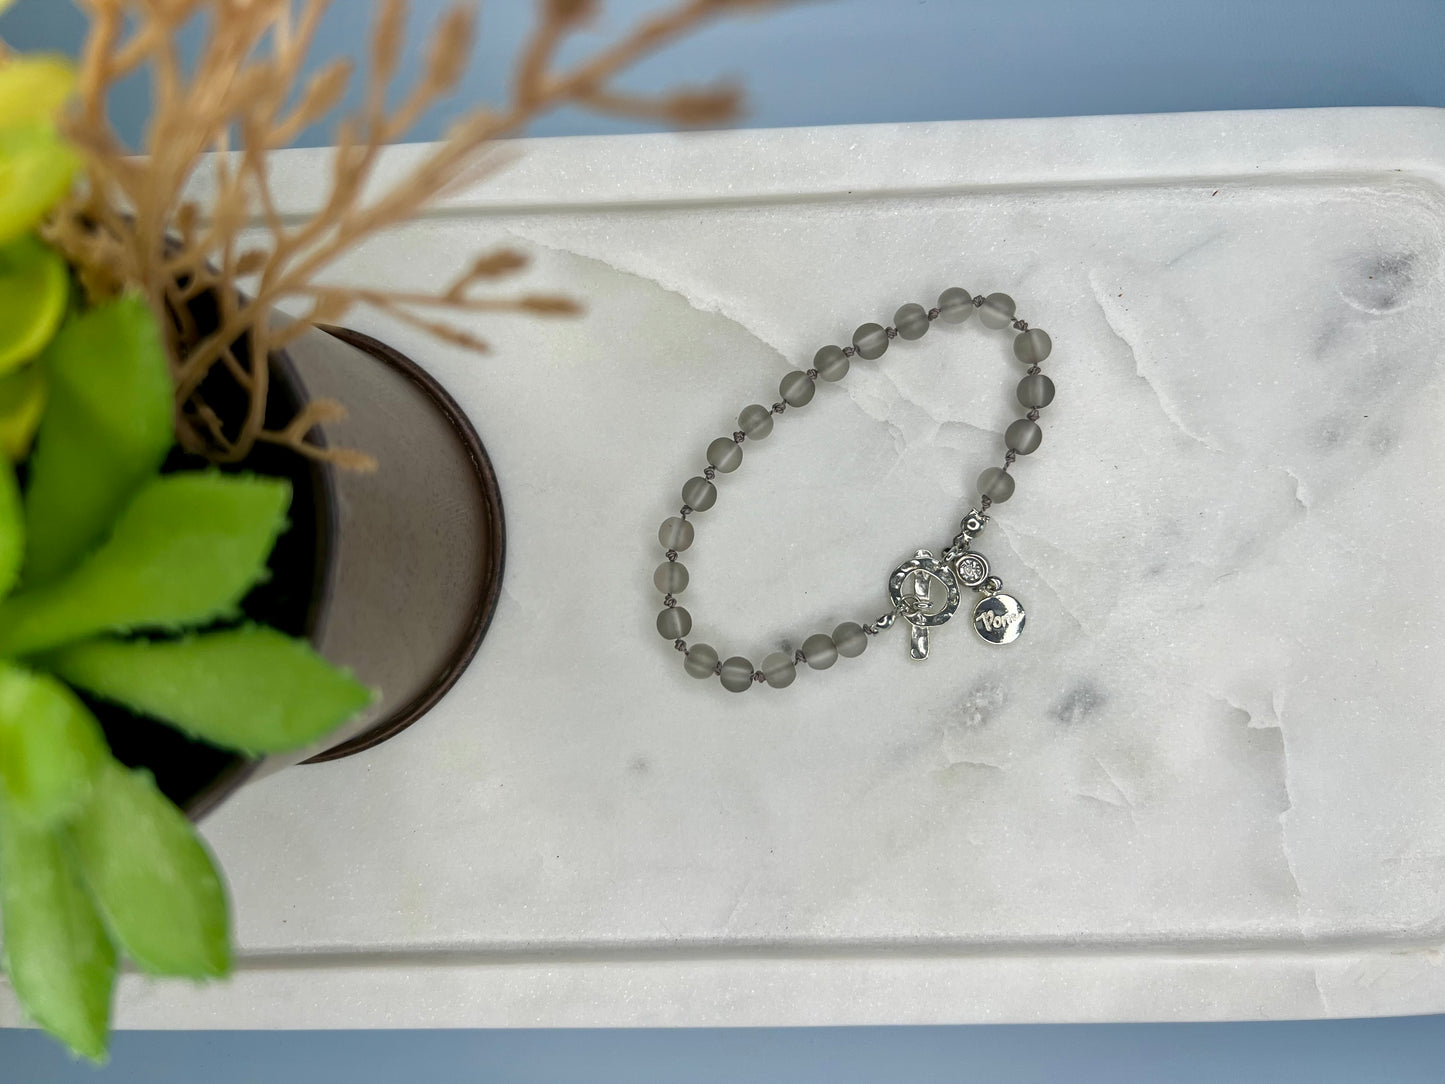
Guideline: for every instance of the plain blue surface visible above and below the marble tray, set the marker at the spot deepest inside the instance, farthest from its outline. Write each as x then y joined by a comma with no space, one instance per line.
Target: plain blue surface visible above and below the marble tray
832,64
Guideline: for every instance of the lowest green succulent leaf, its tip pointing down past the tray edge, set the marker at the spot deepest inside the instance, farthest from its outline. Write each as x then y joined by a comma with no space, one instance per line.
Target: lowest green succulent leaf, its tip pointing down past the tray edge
59,956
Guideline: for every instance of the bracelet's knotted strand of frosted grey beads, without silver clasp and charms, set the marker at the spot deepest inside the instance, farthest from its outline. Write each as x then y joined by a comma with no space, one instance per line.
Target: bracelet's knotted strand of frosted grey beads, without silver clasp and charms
797,390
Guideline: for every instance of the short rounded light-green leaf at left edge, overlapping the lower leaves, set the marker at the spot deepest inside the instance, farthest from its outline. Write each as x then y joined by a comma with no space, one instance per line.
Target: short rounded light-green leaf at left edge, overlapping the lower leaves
51,747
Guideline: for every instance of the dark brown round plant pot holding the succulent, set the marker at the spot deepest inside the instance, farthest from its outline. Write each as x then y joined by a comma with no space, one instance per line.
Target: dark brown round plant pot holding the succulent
394,575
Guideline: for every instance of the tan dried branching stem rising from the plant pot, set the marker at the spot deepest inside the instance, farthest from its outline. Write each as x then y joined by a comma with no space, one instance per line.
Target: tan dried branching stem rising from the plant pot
134,226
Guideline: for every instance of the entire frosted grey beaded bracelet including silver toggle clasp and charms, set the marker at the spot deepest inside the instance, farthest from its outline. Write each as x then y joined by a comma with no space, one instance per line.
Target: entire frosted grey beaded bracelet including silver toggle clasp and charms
926,589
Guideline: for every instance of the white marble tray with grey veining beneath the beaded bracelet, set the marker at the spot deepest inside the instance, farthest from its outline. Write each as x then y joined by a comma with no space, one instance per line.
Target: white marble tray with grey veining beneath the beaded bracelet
1210,780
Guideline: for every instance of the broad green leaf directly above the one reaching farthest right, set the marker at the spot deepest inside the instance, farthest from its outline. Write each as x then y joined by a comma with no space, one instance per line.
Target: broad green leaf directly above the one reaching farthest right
184,553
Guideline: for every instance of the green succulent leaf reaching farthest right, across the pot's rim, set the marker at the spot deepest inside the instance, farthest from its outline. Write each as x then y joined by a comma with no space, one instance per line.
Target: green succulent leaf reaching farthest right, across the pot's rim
251,689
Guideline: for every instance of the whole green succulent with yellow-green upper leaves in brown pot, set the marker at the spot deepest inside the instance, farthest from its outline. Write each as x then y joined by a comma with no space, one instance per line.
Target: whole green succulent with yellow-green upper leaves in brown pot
125,585
